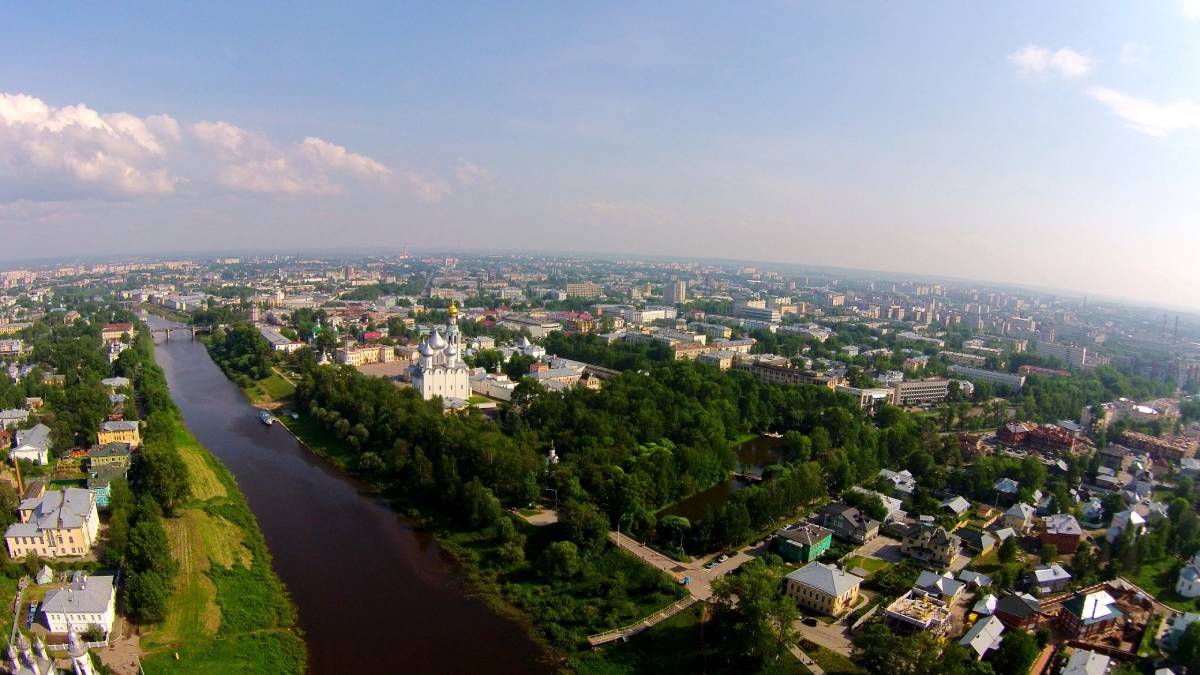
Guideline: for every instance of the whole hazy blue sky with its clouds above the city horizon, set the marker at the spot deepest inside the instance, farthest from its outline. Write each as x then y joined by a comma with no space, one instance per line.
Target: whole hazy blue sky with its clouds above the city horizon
1047,144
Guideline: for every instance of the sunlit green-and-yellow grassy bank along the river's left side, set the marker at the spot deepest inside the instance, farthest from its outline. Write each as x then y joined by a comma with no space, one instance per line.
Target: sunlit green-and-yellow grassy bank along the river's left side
229,612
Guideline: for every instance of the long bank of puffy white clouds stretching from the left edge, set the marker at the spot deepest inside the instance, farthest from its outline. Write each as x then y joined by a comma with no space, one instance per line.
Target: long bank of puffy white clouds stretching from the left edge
73,152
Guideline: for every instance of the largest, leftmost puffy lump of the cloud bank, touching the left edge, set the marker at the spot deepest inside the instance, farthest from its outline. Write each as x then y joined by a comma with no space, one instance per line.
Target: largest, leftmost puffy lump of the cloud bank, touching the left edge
82,150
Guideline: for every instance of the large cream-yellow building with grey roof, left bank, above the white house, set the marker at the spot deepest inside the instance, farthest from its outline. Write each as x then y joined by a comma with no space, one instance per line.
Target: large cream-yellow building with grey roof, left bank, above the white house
61,523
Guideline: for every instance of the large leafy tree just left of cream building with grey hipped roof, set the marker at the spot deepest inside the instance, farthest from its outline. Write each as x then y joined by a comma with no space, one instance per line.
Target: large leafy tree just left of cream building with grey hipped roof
761,619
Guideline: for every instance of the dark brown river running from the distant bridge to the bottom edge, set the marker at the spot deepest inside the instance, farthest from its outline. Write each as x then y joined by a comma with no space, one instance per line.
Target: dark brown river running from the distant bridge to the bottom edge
374,595
